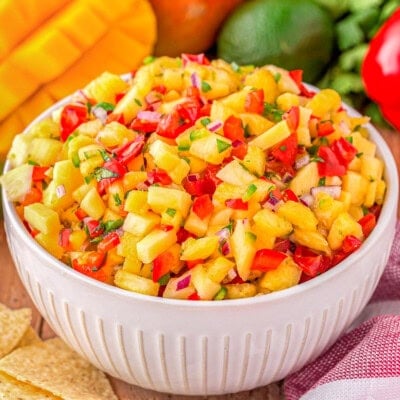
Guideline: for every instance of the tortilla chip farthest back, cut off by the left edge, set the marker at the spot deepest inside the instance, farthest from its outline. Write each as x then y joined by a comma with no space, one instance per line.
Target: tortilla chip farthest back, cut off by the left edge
13,325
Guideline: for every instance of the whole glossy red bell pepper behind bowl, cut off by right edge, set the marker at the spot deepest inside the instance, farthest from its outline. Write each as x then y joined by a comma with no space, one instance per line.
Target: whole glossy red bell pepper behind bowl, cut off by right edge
381,69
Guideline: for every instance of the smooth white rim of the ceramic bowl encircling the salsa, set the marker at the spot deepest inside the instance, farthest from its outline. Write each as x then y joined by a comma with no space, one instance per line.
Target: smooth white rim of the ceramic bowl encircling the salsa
390,203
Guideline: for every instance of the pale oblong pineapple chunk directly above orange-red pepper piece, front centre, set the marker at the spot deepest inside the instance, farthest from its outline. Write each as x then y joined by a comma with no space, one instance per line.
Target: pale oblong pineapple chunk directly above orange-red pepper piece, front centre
155,243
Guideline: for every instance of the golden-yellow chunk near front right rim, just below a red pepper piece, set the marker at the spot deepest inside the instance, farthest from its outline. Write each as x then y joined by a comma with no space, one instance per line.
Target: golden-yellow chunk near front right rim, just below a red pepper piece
286,275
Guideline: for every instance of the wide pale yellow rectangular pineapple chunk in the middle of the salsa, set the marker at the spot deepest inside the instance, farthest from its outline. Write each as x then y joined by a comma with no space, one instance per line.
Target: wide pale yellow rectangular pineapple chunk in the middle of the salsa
161,199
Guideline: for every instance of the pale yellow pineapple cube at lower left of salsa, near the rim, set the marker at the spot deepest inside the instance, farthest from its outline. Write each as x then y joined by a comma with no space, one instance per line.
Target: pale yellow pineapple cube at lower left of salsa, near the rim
42,218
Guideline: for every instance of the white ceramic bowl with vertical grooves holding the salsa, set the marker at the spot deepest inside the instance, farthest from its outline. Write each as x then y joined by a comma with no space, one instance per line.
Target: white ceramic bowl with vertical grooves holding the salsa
202,348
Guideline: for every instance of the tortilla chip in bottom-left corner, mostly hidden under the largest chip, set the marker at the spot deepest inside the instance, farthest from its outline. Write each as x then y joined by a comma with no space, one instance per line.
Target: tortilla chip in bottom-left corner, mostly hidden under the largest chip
11,389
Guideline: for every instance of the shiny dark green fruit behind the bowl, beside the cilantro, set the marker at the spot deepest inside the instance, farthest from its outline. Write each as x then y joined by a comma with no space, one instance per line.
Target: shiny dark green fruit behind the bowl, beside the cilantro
292,34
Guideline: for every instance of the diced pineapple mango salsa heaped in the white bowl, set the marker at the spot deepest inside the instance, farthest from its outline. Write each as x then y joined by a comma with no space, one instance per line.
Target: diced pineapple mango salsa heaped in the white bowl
197,179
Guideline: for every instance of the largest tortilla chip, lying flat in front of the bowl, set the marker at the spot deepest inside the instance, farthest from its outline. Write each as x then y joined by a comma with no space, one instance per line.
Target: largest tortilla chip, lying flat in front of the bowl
52,366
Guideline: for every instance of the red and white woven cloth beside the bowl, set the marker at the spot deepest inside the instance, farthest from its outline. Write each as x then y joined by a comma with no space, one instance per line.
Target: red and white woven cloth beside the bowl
364,364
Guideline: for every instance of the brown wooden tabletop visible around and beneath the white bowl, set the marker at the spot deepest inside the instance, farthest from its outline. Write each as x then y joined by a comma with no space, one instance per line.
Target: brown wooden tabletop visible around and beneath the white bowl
14,295
